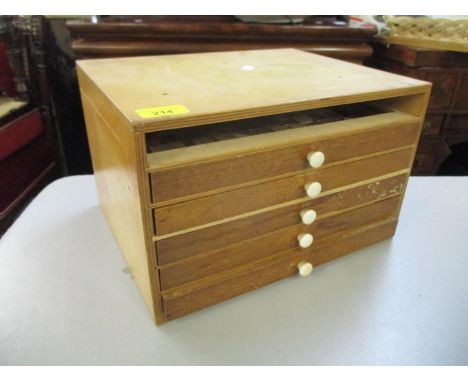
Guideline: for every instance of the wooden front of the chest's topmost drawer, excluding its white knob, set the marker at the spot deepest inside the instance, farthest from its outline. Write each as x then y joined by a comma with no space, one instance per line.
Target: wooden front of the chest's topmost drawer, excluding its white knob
192,179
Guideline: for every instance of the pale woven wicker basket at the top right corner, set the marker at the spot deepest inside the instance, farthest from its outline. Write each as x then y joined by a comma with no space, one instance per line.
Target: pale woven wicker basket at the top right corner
428,32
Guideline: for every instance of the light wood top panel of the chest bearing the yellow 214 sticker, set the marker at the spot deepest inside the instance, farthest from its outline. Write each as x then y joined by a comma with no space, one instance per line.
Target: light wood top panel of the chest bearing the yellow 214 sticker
223,86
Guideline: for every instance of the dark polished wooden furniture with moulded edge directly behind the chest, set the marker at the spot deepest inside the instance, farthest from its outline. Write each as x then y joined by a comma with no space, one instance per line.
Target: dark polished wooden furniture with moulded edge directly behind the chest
155,35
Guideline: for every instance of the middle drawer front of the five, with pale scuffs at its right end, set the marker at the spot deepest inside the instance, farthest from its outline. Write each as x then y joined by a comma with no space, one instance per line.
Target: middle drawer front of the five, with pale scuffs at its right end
218,236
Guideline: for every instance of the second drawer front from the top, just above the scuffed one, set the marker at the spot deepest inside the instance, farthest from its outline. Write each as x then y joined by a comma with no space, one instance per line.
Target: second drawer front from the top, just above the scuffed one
208,209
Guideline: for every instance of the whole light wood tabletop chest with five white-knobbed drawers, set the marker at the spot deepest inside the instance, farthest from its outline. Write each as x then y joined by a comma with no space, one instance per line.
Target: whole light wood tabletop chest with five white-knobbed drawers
220,173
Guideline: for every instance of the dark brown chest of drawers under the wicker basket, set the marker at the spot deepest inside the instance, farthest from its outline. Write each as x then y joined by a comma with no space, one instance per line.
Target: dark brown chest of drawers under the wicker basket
446,124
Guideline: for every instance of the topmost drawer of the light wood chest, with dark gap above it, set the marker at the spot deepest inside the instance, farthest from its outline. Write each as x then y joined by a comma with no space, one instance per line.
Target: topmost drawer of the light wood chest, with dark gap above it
189,162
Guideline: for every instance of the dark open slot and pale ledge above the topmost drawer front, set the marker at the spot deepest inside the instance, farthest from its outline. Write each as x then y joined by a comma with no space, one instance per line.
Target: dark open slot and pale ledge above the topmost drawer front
169,148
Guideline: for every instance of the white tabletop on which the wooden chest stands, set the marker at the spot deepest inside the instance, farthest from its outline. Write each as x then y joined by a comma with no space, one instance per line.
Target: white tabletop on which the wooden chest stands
65,297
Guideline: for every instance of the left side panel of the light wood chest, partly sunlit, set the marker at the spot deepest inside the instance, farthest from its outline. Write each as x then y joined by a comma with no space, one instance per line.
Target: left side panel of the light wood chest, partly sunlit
116,162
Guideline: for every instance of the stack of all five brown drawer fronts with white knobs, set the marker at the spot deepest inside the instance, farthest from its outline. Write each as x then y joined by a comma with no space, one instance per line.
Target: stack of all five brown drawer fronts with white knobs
228,223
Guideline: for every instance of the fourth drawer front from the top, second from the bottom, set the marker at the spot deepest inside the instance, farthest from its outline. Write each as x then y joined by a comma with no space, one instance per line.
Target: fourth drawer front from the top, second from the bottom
265,246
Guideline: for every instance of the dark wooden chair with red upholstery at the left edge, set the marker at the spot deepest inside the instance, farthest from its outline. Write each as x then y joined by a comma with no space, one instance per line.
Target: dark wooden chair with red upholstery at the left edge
28,150
